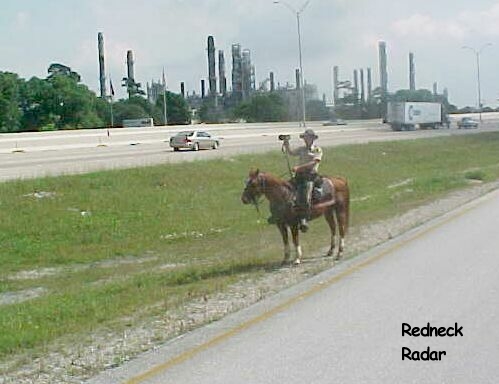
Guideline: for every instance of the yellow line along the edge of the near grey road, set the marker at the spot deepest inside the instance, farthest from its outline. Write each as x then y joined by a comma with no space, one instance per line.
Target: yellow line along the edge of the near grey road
280,308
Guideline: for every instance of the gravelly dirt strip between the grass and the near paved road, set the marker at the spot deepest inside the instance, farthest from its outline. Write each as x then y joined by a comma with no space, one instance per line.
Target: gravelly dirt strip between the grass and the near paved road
75,362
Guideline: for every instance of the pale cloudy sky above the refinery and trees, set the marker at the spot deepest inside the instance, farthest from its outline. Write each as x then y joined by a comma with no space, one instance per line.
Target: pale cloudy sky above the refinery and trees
172,34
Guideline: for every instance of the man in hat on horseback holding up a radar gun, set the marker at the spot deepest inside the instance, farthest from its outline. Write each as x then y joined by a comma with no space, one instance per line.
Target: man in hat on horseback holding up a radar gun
305,172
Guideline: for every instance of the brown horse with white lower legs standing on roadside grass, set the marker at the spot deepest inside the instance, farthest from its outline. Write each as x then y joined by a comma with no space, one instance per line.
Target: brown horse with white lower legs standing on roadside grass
333,204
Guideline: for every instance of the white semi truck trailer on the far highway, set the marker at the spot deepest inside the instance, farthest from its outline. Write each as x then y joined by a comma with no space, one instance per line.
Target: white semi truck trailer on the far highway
408,115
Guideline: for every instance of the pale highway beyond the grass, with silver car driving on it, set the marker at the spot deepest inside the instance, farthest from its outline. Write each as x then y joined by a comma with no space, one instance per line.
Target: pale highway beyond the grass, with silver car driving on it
27,155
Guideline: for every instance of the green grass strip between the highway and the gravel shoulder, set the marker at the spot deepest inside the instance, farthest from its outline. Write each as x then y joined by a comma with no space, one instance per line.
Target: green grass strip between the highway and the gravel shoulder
103,245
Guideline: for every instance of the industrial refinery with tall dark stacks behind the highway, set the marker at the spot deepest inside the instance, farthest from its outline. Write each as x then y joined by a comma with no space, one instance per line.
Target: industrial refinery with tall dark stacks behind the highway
354,97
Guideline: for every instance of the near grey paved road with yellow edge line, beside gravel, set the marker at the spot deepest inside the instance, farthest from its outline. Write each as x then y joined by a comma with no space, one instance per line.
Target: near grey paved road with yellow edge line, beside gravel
344,326
